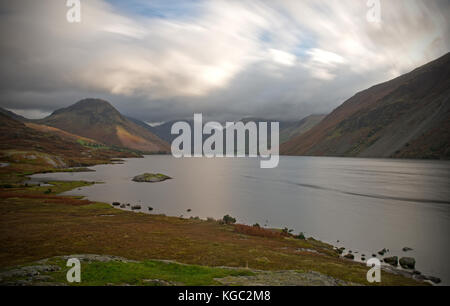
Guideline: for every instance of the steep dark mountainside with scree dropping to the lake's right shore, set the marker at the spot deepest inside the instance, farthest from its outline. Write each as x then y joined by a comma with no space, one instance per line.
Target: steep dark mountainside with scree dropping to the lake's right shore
407,117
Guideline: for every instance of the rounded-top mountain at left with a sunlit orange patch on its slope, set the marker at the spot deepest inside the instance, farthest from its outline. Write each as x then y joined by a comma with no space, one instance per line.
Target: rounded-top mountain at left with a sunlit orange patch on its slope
99,120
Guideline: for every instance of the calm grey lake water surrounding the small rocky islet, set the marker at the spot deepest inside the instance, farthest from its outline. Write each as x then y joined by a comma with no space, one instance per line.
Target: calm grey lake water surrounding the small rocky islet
366,204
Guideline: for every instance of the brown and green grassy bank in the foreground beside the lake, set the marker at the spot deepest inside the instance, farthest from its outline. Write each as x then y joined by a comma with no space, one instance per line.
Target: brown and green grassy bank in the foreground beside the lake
37,223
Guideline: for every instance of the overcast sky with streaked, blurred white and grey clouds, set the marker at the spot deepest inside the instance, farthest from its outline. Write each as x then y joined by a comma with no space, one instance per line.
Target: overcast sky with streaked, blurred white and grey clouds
164,59
